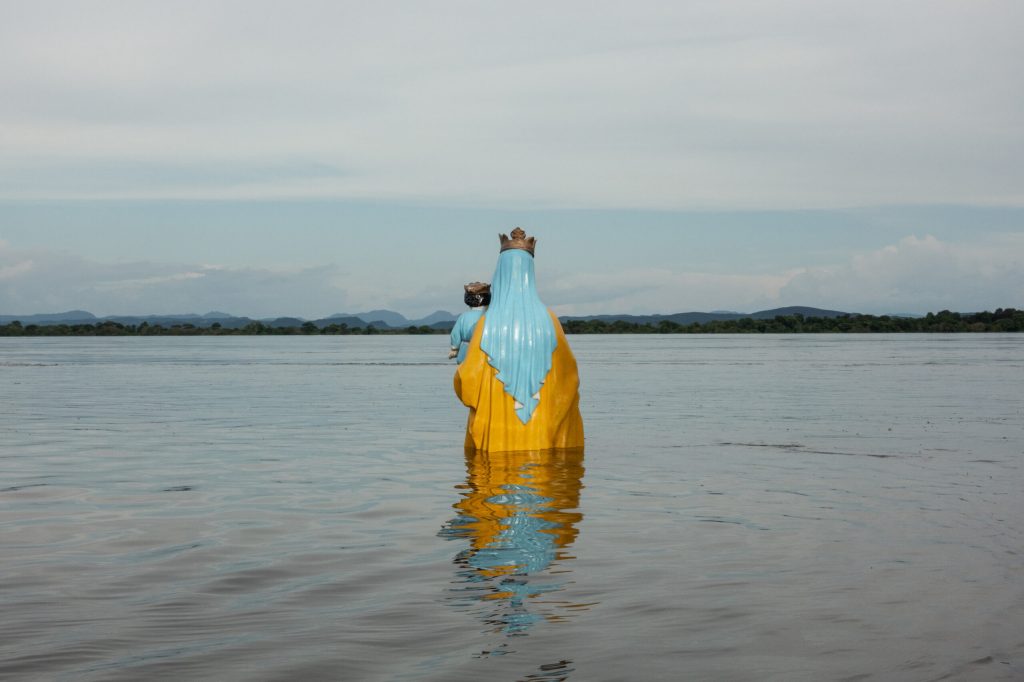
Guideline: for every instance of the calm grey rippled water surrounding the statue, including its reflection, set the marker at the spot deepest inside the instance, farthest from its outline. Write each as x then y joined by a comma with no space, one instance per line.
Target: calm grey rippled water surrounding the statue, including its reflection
748,508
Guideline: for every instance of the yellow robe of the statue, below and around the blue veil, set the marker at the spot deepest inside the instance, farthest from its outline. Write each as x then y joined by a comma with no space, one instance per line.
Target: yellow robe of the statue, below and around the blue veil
494,425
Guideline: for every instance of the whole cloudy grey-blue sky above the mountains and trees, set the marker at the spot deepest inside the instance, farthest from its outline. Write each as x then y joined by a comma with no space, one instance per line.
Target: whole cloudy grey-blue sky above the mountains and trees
311,158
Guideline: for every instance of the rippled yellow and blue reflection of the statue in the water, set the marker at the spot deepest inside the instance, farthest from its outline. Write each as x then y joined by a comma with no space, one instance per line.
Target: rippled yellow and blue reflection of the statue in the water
519,513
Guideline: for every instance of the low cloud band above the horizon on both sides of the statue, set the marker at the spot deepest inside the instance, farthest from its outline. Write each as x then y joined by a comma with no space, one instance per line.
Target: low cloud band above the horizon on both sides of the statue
913,275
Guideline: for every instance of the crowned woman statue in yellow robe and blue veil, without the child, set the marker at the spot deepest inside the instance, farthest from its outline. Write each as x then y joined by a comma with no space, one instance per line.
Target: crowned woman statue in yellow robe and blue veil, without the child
520,378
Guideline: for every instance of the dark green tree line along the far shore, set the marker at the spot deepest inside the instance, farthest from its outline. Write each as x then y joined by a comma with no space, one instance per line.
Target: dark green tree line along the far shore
1003,320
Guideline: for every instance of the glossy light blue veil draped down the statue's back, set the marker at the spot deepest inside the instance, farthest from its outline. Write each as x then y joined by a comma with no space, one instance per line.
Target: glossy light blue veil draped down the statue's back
519,334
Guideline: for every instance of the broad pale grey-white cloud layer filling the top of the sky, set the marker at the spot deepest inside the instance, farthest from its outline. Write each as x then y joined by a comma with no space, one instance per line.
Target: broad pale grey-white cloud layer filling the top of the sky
630,105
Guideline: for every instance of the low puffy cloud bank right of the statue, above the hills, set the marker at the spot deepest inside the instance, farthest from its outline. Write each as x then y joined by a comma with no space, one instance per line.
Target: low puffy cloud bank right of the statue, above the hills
916,275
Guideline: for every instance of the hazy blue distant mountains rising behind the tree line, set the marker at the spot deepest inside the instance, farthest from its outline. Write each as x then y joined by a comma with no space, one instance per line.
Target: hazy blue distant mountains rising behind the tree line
385,319
